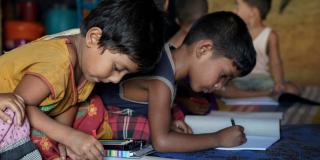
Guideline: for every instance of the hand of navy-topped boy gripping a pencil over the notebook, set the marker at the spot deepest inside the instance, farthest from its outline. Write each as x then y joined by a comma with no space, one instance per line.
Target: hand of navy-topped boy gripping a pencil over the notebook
231,136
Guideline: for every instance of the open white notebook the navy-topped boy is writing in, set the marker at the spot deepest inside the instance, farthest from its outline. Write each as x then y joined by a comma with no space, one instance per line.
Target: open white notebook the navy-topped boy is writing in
261,129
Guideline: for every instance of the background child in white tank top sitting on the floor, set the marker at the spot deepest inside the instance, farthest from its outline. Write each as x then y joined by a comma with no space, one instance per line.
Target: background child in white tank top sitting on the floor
267,78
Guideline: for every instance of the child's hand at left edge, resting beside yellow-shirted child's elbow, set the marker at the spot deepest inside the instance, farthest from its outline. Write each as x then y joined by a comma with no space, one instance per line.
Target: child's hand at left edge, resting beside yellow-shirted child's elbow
13,102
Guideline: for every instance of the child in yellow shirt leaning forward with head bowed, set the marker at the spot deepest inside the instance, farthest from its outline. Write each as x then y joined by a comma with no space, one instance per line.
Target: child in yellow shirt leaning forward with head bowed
51,75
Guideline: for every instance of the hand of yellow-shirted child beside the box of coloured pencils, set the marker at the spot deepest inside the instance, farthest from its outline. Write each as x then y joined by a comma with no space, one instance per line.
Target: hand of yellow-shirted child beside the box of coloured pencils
84,145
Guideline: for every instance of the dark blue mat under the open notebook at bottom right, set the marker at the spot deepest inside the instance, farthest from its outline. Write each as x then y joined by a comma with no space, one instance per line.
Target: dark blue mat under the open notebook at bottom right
297,142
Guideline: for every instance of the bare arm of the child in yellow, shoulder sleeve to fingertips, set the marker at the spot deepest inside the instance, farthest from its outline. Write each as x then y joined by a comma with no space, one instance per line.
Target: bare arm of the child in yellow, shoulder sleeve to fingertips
33,90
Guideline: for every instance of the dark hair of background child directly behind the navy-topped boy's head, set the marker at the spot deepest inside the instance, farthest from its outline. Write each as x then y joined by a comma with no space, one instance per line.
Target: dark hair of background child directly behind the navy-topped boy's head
188,11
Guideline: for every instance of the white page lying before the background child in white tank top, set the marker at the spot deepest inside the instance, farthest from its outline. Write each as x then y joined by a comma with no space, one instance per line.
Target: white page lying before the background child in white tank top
251,101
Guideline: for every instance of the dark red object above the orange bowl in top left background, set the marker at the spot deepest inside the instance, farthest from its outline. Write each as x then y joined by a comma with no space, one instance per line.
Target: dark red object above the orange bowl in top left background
28,10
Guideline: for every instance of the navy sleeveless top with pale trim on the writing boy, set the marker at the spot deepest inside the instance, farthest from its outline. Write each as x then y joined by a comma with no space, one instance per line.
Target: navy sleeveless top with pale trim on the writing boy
112,94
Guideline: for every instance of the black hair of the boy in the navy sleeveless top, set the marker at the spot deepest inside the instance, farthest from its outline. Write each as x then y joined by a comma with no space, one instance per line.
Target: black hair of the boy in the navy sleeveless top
230,38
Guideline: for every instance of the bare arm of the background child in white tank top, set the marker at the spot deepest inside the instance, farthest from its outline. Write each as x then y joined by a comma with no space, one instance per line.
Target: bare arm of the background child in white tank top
275,61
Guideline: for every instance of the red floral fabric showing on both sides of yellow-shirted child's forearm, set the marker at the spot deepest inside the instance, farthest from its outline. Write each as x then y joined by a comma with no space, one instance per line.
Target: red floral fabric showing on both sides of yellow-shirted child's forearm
91,117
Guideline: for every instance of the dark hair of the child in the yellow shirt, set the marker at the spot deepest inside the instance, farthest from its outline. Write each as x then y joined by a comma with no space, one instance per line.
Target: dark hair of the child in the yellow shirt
132,27
